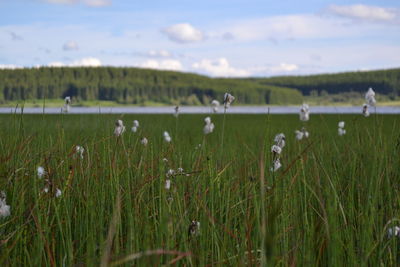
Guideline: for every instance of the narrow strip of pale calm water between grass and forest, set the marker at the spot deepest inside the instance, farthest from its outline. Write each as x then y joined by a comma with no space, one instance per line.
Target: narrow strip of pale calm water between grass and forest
205,110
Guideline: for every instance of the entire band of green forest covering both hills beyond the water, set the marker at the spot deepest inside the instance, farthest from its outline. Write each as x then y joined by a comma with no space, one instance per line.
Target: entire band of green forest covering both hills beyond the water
138,86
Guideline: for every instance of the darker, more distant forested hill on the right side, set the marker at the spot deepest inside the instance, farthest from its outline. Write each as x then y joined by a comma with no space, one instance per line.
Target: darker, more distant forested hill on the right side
382,81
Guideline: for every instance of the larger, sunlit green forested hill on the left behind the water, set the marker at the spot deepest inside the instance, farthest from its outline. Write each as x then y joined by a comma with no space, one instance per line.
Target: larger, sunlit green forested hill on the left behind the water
135,86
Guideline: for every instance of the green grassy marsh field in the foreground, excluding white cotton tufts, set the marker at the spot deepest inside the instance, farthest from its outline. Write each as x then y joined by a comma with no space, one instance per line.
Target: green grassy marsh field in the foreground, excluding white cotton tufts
332,203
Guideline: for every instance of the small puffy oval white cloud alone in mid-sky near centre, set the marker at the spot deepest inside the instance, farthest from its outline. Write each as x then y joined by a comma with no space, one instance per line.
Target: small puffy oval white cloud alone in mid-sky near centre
183,33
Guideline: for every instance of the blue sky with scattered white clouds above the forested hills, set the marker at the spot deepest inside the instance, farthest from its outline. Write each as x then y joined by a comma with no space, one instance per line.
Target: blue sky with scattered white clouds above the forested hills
217,38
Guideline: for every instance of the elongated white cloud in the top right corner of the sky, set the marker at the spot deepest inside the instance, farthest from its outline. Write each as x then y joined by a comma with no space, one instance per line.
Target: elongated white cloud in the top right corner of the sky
364,12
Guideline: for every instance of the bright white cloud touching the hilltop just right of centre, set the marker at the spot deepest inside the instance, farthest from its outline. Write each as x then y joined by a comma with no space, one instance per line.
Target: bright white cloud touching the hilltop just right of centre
219,67
